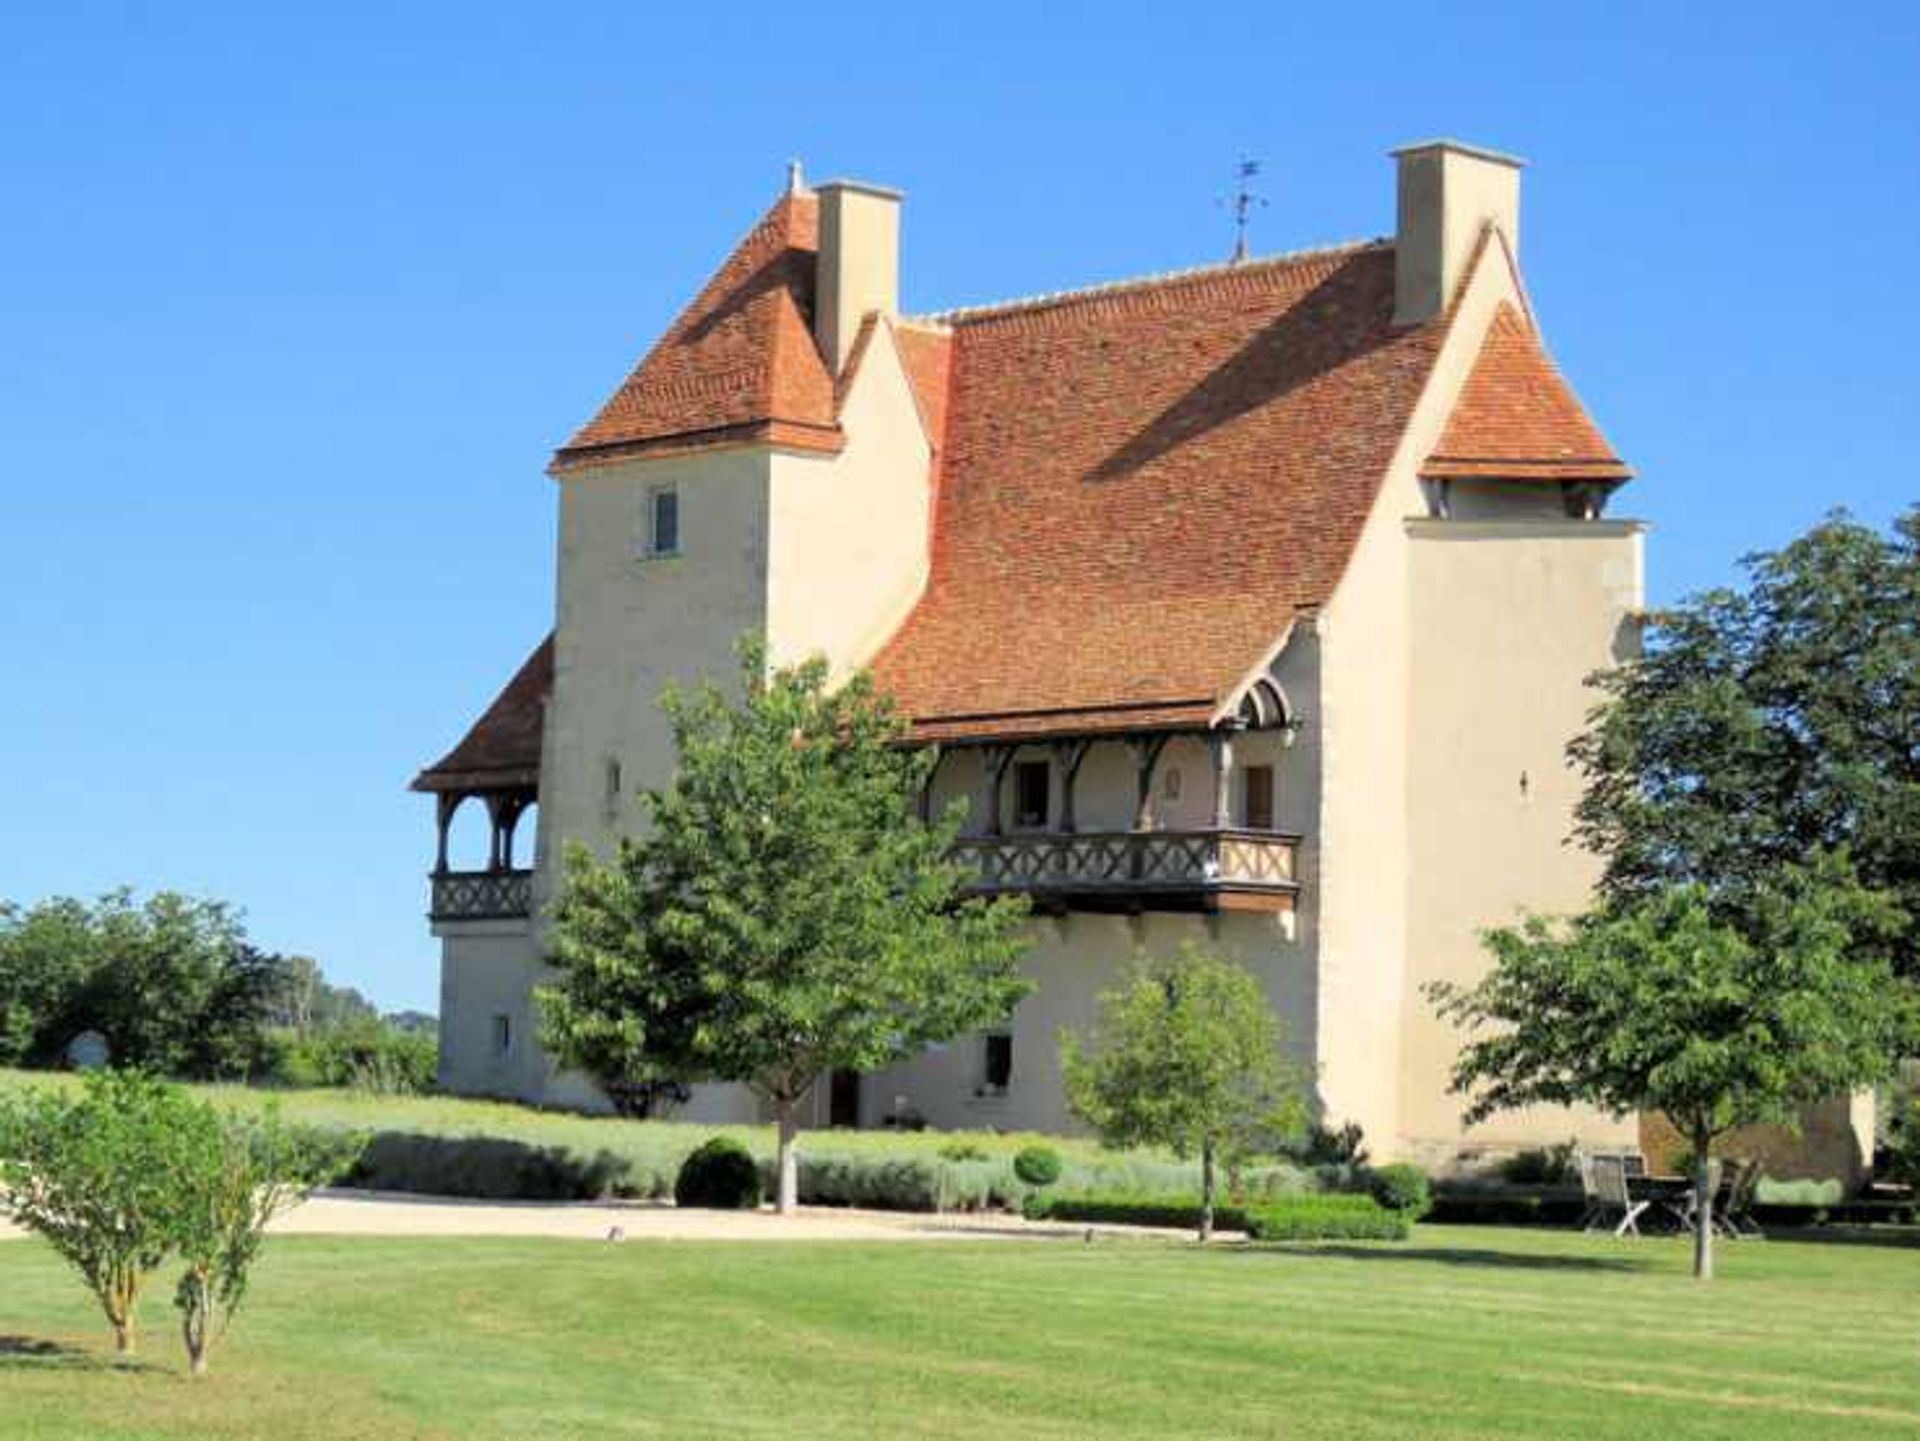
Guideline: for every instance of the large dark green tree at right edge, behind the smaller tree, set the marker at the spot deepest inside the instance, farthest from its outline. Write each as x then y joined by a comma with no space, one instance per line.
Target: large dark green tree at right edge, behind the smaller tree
1767,722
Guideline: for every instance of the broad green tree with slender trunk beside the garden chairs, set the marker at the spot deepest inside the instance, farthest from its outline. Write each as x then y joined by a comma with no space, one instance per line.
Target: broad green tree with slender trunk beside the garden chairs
1660,1004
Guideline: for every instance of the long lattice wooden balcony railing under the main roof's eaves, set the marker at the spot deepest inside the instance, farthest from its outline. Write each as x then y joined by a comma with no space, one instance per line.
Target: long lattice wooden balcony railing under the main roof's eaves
1216,870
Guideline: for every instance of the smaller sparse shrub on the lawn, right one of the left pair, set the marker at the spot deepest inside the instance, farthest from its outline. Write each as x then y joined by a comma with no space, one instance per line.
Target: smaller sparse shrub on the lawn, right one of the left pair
237,1175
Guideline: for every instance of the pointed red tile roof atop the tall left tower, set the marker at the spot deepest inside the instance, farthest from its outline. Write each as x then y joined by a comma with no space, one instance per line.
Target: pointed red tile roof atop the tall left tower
738,366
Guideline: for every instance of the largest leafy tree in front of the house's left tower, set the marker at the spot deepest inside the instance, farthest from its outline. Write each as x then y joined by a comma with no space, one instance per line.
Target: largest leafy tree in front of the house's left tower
782,914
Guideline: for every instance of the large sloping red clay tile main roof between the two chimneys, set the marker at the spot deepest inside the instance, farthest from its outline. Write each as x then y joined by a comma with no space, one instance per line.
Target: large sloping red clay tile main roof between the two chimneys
1141,486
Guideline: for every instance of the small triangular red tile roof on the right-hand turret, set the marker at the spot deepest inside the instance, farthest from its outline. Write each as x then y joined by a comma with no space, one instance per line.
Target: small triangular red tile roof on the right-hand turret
1518,419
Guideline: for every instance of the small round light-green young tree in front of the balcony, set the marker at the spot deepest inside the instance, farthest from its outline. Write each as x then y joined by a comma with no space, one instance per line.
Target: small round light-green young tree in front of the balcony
1188,1056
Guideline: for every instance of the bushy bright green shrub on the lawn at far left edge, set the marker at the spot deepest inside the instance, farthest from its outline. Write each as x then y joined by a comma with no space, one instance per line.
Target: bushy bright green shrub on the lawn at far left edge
99,1177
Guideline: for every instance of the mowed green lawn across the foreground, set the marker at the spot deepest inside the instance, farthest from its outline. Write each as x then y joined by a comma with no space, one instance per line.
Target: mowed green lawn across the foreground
1468,1333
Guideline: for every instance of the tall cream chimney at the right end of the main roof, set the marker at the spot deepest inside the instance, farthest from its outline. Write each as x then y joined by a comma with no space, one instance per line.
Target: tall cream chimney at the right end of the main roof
1449,193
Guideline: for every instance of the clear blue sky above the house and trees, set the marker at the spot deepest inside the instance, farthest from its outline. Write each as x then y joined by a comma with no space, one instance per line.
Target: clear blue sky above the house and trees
293,314
